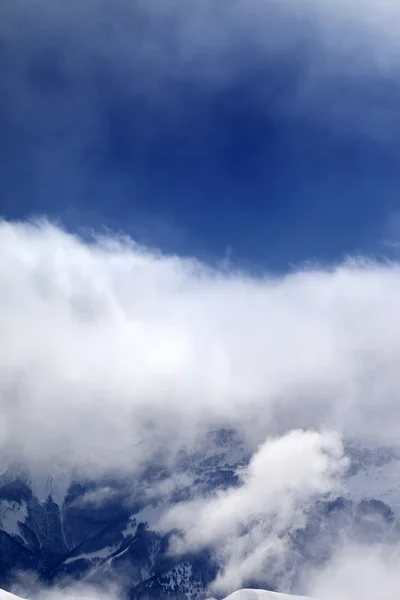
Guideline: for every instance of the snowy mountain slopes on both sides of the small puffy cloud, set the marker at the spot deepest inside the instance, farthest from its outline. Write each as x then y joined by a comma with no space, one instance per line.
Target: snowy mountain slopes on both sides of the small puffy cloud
61,526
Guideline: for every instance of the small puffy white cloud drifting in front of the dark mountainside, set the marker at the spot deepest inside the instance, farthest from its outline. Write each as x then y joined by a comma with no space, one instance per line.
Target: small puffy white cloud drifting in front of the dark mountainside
249,526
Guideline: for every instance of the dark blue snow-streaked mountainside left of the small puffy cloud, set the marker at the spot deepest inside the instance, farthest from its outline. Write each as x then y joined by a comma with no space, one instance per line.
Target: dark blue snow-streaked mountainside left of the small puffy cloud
59,526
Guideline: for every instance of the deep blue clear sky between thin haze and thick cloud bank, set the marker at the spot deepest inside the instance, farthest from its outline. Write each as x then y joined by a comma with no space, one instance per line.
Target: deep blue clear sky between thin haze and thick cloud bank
192,163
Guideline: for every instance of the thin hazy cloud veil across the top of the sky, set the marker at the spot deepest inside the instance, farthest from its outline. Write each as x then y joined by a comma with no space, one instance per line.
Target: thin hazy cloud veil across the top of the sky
211,45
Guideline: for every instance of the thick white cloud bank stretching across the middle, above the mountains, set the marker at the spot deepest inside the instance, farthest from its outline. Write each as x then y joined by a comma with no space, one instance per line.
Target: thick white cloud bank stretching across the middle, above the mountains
111,351
